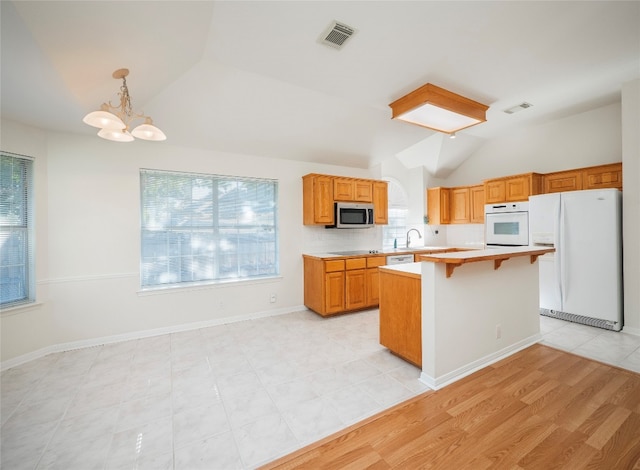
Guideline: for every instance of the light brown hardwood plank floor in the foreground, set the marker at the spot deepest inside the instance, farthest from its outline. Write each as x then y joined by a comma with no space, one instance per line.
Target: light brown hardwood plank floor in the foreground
541,408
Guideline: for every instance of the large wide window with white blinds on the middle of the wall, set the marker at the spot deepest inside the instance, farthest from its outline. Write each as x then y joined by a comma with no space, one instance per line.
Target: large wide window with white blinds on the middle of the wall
198,228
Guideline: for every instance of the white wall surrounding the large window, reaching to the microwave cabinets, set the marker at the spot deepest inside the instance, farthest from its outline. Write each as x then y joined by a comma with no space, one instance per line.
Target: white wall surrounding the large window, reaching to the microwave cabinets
87,230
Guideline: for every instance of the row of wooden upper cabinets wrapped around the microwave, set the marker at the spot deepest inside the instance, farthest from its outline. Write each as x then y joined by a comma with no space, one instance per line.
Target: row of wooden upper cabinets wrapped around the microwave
322,192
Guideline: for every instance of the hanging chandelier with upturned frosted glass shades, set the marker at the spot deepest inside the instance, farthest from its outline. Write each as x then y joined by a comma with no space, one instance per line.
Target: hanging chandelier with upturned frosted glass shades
115,122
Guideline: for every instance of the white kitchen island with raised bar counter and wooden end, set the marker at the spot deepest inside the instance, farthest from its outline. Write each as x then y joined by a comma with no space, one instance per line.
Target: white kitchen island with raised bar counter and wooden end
467,319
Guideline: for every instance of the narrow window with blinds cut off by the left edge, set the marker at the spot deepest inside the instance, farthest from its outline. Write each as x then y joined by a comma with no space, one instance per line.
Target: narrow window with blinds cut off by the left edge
17,276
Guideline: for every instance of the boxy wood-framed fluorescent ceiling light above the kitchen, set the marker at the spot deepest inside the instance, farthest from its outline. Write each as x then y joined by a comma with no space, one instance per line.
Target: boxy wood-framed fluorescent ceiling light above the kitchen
438,109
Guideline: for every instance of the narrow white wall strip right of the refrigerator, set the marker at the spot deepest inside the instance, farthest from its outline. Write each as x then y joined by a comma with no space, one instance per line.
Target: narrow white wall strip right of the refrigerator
631,203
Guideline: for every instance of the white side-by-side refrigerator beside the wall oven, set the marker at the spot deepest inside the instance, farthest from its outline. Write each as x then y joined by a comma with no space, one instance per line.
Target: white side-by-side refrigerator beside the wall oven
582,280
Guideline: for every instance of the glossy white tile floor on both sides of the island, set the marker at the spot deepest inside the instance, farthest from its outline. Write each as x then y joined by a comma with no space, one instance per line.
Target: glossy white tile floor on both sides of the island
224,397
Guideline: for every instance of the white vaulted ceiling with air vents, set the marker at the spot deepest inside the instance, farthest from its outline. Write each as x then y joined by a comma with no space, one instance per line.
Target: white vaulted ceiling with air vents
252,77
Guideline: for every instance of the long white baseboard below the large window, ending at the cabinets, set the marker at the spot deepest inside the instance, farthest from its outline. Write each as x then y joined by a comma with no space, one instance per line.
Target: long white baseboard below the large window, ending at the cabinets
89,343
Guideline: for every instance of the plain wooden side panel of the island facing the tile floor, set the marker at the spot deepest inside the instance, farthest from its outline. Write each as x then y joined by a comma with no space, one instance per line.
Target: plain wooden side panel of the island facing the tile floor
400,315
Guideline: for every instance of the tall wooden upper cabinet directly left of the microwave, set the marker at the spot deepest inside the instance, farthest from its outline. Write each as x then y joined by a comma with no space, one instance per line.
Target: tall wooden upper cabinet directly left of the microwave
317,200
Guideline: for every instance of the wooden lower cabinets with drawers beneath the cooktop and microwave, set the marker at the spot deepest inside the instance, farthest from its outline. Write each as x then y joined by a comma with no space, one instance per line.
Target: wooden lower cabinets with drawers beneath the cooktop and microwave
333,286
